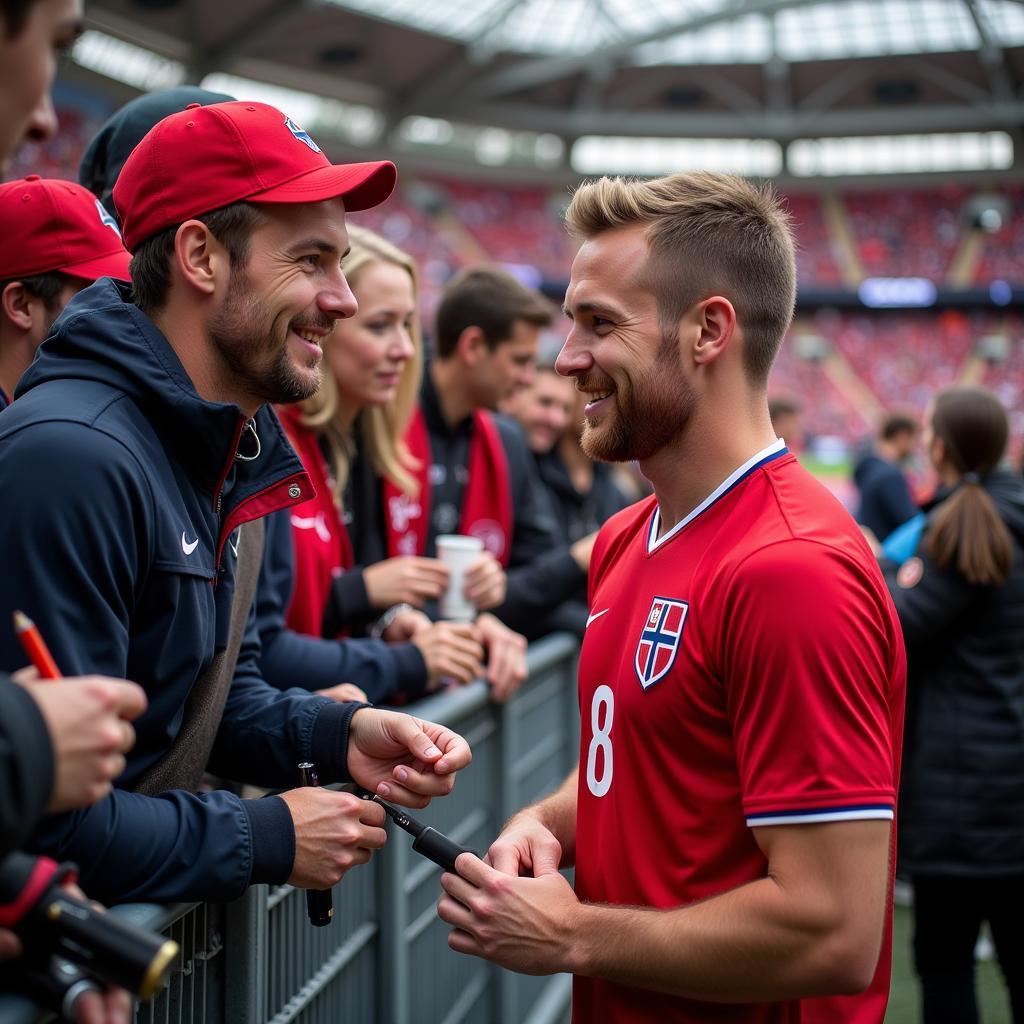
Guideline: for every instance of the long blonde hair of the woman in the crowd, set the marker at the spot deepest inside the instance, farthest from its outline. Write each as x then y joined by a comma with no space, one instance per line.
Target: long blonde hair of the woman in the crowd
381,428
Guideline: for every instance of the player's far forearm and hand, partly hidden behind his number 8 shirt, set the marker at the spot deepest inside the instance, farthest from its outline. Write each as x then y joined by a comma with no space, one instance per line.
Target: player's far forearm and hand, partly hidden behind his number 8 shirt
540,839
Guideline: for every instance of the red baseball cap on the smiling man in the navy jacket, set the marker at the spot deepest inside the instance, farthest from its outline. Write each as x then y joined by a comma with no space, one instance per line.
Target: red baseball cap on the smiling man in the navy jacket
204,158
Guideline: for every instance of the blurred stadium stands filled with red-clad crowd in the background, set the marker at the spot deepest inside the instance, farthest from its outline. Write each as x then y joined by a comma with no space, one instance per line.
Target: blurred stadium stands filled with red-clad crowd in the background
895,359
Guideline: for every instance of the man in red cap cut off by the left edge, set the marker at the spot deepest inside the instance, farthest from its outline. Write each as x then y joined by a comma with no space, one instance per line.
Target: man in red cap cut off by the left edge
59,239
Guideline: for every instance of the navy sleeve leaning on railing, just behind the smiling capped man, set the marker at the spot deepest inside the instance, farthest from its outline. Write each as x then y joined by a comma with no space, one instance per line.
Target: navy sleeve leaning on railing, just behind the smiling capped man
290,659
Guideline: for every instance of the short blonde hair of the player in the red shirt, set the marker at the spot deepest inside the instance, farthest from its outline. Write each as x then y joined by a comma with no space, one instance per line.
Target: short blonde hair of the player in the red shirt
710,234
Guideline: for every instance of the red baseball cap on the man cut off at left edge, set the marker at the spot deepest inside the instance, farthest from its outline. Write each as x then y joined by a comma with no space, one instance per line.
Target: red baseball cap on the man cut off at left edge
50,225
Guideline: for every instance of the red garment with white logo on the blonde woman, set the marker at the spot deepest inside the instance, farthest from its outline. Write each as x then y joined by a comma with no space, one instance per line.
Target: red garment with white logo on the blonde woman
320,541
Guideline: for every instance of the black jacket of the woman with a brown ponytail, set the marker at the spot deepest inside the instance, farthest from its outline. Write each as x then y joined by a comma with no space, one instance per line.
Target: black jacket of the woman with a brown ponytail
962,796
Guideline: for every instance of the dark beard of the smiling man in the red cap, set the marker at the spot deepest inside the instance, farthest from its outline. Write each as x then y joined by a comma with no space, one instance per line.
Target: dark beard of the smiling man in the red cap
255,361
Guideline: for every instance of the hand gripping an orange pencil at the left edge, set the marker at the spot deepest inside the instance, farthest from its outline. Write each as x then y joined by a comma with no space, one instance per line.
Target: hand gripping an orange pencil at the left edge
89,719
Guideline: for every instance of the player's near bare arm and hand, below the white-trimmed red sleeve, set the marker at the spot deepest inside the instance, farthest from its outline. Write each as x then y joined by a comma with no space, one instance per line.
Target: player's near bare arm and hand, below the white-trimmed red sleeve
813,927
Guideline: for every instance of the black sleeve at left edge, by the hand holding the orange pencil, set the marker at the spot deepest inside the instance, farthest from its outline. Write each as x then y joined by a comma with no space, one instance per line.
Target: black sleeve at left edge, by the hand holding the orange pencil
26,765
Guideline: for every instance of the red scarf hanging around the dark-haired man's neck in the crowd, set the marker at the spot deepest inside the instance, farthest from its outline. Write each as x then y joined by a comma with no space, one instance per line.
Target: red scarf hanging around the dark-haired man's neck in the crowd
487,502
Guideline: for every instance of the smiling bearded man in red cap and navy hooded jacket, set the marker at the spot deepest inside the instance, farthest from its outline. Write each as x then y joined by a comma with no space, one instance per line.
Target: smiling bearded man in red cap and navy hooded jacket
140,443
